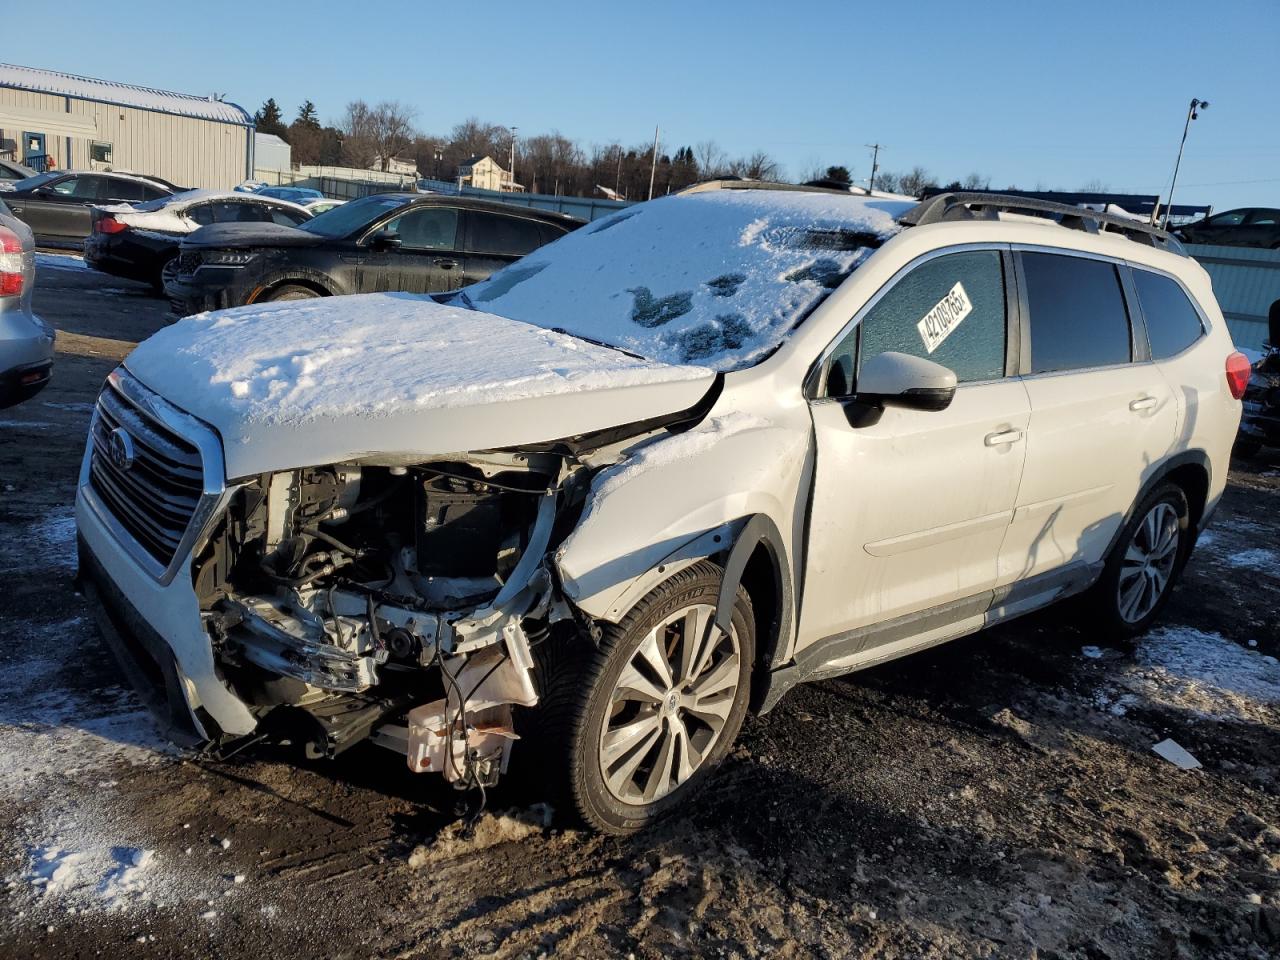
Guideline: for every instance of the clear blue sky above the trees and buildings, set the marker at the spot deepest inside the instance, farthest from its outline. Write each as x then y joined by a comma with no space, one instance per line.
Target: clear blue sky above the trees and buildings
1032,94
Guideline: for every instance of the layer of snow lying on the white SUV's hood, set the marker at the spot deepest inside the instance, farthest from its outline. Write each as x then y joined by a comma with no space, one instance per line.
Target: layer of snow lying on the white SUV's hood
372,355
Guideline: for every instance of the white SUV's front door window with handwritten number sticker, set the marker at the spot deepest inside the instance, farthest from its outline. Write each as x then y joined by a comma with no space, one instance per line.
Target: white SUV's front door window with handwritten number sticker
950,310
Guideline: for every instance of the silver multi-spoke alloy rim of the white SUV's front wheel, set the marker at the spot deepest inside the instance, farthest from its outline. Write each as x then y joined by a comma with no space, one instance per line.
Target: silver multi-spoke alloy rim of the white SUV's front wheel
670,706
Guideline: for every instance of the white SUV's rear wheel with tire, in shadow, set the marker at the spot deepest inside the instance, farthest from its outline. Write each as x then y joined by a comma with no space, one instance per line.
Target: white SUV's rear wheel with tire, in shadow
1141,572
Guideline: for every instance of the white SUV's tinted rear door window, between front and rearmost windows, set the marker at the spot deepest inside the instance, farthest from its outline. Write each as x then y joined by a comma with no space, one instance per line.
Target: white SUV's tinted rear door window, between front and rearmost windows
1078,316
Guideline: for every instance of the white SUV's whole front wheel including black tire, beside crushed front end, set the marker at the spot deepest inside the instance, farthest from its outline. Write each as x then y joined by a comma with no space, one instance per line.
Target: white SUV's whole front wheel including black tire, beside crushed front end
593,697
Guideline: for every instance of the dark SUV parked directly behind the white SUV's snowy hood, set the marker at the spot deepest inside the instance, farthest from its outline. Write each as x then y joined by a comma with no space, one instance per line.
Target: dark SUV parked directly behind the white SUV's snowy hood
388,243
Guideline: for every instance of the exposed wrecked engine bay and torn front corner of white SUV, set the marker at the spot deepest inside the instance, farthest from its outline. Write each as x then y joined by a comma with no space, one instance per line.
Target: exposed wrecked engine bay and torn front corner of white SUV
397,602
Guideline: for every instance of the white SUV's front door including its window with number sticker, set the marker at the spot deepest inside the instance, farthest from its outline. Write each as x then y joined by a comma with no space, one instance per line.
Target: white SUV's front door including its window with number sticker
909,513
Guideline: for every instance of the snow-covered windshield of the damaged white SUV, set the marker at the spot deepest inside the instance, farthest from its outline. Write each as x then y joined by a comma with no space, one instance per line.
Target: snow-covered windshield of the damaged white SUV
716,278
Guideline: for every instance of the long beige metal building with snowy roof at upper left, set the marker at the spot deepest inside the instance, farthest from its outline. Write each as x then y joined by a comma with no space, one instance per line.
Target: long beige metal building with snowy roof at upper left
84,125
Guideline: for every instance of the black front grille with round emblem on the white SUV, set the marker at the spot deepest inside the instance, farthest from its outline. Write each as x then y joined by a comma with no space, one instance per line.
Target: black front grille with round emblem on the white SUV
156,497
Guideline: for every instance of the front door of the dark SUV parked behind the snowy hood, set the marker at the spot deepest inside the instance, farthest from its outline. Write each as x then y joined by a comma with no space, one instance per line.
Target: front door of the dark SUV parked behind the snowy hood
427,259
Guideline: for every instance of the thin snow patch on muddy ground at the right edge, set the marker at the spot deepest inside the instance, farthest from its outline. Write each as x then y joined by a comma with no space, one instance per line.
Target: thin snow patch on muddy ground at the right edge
1206,674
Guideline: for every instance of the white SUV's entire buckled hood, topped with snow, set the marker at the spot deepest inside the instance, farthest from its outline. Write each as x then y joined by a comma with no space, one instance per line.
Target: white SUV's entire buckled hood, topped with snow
395,378
